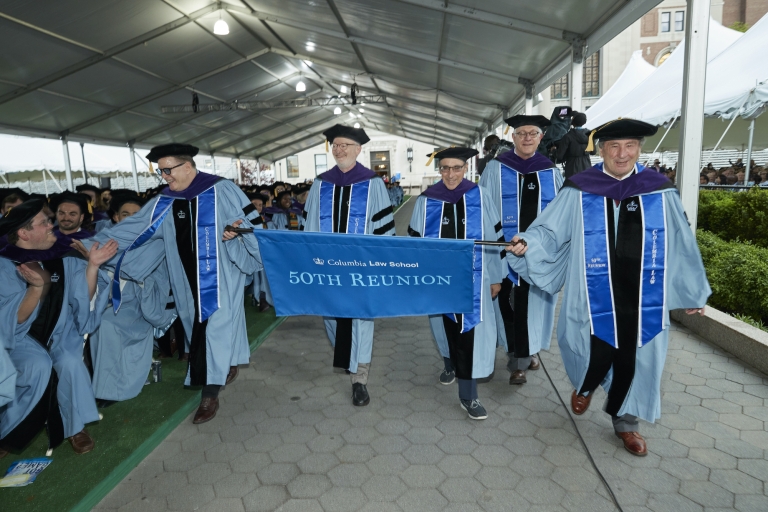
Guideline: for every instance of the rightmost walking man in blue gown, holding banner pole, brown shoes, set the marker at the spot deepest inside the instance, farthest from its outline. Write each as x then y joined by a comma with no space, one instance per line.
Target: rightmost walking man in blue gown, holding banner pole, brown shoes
617,238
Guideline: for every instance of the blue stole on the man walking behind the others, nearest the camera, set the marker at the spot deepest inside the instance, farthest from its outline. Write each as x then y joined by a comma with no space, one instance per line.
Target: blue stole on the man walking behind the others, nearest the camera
510,201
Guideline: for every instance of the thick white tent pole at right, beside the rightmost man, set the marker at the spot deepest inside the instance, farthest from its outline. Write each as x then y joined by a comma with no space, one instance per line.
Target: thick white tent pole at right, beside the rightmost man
692,112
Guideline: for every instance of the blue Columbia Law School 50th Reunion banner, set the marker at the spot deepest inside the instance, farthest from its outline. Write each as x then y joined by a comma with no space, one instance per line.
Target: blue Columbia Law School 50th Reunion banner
359,276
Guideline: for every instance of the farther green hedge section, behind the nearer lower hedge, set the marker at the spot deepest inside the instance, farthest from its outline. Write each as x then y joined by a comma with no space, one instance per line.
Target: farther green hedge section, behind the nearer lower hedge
735,215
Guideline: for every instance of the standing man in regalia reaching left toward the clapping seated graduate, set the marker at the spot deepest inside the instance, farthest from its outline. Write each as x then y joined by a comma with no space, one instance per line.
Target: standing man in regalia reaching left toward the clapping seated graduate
183,228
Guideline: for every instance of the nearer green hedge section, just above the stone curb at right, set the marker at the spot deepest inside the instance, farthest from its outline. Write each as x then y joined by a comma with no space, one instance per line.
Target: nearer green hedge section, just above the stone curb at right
738,275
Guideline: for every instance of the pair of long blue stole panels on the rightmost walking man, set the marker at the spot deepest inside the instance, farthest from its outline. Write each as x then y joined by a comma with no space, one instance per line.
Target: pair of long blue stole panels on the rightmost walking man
600,294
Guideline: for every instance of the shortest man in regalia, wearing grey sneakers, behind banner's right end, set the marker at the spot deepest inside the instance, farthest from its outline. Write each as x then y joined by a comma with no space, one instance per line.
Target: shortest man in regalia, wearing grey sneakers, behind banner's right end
457,208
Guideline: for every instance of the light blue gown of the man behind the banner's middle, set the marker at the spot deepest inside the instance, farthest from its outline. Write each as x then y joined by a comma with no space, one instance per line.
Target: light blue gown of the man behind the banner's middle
362,329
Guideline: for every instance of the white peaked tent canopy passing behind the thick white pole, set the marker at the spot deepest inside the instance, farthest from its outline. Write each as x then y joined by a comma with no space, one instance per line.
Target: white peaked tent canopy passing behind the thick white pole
662,90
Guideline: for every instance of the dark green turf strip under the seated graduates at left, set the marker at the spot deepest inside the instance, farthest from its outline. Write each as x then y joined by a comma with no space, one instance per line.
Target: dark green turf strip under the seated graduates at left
129,432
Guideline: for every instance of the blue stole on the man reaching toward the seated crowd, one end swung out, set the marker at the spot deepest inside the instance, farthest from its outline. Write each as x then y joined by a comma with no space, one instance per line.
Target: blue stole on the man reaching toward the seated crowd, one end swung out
207,250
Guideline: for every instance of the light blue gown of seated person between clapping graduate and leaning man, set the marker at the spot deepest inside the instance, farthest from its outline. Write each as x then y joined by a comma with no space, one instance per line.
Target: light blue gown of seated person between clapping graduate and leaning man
121,348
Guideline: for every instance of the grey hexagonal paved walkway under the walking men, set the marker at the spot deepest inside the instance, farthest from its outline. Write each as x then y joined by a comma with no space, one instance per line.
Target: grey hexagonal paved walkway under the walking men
287,438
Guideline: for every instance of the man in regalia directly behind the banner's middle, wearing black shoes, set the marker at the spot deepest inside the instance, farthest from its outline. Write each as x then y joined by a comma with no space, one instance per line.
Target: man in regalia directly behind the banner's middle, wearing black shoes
350,198
